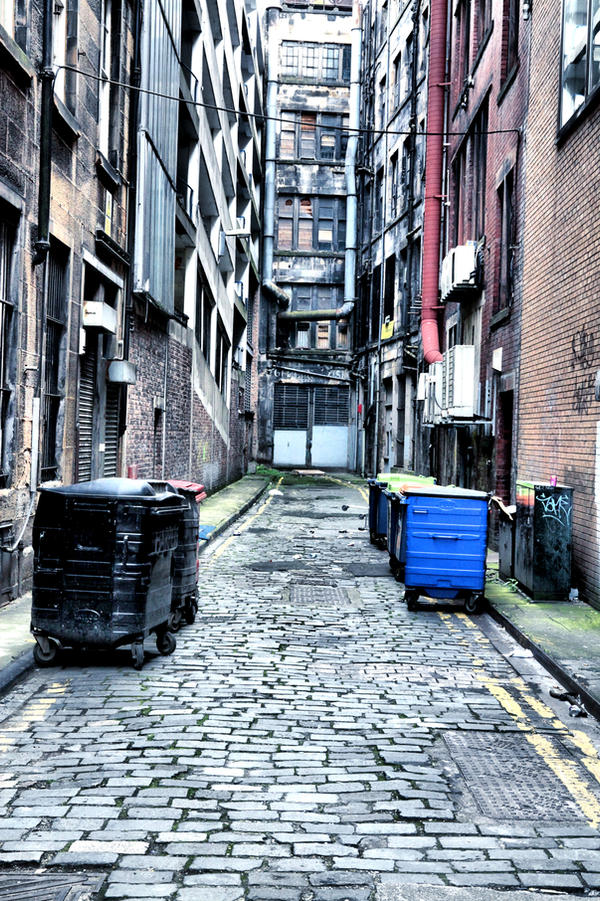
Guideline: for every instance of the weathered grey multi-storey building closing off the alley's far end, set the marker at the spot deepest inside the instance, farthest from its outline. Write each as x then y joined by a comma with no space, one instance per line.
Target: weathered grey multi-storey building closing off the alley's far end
307,396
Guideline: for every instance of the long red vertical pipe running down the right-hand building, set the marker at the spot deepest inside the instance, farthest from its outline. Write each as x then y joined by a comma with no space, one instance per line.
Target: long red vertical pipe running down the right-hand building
432,215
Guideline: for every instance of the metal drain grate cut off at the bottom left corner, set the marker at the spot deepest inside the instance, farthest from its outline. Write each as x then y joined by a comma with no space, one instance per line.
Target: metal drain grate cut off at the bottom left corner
50,887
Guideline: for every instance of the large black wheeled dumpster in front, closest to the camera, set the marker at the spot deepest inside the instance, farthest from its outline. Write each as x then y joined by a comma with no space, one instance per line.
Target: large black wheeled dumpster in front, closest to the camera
103,560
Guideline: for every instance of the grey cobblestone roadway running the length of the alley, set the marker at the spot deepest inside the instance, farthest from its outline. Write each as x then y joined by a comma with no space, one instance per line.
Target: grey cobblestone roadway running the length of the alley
310,739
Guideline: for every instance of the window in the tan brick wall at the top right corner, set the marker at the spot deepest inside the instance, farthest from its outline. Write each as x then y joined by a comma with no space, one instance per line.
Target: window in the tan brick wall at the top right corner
580,70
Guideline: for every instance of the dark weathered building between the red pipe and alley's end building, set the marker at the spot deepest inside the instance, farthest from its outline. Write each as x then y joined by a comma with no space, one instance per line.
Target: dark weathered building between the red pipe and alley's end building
391,168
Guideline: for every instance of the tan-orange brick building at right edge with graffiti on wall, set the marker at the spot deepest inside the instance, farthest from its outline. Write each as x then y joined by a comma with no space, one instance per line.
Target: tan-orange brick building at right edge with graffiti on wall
560,356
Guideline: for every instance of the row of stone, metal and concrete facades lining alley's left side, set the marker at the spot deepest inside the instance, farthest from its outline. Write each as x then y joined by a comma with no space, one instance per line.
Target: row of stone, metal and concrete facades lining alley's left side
130,195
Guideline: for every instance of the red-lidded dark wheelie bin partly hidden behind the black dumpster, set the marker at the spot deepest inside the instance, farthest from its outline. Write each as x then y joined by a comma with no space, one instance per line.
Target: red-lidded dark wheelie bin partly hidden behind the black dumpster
184,605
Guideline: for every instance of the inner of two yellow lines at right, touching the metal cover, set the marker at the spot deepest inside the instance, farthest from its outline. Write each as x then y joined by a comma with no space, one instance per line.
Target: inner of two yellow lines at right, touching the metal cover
565,770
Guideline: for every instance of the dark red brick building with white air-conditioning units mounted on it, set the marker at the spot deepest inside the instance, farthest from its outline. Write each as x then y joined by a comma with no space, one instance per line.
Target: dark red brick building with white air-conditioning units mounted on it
470,397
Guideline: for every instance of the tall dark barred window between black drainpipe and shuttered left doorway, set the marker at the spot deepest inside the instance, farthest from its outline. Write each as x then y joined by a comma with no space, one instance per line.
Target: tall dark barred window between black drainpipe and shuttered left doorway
55,327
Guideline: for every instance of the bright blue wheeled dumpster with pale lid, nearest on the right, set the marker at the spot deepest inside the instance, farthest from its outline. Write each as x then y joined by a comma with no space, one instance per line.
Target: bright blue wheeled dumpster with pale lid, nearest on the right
441,543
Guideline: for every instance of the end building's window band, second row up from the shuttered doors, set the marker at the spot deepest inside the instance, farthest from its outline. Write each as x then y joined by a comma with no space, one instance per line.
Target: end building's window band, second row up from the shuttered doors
311,223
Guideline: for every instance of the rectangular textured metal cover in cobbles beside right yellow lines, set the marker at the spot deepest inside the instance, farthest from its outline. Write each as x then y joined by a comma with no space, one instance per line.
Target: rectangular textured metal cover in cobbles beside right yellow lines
531,791
